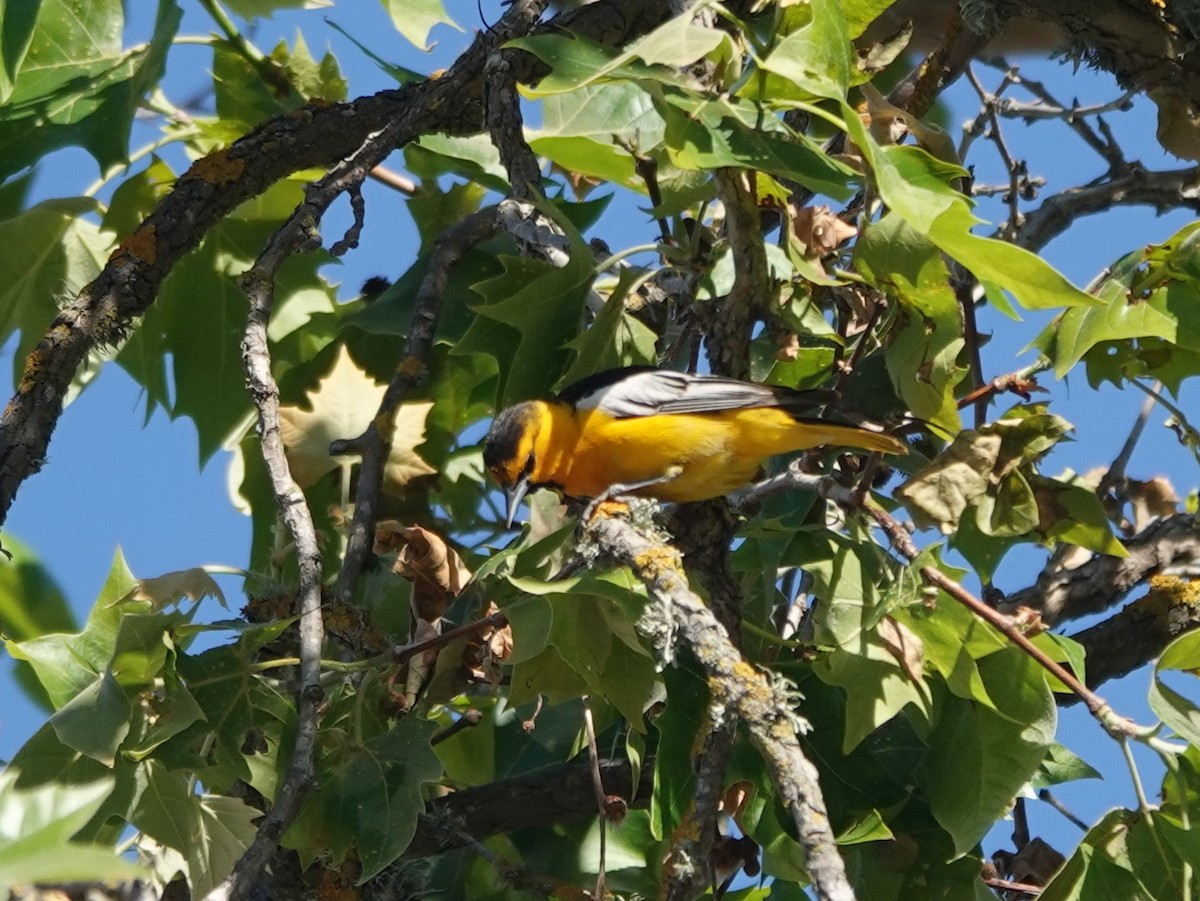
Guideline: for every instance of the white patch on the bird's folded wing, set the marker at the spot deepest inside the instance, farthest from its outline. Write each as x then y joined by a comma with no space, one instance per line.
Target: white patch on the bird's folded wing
645,394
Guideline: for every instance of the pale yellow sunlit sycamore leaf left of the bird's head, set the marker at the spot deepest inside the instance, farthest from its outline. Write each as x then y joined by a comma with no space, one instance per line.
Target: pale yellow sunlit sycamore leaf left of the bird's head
343,407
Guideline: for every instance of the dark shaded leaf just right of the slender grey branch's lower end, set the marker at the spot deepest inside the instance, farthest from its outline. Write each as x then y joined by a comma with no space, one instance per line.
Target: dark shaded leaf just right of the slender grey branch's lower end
371,794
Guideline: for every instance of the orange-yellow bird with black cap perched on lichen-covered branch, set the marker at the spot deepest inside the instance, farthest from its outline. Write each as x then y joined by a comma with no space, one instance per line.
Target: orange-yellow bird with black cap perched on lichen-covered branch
658,434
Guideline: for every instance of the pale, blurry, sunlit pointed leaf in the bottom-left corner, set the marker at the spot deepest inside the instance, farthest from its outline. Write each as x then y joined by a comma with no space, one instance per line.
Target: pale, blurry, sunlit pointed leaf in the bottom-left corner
37,826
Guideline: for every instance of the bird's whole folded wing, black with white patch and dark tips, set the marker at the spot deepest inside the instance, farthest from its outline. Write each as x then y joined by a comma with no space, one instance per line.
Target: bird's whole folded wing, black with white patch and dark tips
646,392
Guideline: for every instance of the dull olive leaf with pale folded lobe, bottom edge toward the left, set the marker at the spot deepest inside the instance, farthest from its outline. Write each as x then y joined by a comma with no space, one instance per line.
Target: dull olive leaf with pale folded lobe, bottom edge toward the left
211,832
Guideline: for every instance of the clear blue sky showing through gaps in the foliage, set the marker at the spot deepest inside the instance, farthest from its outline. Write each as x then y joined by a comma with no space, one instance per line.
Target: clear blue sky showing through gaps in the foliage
110,483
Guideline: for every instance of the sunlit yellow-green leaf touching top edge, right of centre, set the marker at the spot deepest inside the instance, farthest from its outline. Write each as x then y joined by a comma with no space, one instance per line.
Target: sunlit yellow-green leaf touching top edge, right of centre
818,56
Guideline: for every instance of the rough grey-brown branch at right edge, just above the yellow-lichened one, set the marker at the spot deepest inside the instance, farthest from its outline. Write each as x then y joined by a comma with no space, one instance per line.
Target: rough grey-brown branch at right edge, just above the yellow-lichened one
1100,584
